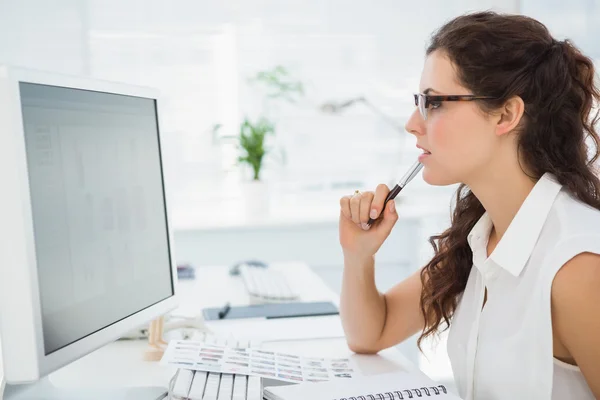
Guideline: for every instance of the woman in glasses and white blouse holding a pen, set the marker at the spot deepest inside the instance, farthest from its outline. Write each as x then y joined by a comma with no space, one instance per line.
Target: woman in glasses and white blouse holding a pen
505,110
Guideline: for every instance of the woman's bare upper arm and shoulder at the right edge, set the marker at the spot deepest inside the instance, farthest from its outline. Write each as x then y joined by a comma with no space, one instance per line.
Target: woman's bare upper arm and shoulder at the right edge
576,314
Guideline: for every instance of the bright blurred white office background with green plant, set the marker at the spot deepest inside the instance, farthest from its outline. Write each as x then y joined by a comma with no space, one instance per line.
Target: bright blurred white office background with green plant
324,86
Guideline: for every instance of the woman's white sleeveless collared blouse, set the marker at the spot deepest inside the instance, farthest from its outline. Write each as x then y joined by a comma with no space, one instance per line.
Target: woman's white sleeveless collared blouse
505,350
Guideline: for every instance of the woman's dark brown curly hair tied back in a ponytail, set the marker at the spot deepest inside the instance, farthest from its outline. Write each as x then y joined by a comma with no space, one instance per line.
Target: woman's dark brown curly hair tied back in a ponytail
503,56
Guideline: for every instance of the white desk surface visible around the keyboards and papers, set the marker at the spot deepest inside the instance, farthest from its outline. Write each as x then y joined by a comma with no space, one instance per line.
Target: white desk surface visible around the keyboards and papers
121,363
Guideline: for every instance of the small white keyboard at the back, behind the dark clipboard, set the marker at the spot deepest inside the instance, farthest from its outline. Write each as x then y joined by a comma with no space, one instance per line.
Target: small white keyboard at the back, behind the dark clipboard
266,285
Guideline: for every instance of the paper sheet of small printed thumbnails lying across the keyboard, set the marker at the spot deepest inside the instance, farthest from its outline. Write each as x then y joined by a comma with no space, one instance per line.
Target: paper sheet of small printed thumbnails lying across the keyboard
201,356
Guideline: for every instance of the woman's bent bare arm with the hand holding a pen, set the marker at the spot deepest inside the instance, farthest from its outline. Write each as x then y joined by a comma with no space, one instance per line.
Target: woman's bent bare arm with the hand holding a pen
373,321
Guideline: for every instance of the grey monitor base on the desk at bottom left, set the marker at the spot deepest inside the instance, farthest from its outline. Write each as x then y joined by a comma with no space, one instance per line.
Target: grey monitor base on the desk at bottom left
45,390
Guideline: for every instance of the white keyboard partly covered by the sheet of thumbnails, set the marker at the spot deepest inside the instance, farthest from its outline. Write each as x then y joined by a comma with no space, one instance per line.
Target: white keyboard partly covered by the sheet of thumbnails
200,385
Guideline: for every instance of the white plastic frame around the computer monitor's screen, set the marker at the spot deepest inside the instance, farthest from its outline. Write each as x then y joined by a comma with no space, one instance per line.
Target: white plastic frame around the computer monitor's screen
20,308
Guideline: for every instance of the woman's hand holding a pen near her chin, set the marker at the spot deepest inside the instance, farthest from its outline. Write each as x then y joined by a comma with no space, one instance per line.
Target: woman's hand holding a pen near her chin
356,237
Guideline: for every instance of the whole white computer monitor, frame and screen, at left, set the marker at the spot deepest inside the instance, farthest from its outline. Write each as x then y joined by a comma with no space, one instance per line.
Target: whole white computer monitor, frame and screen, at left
85,244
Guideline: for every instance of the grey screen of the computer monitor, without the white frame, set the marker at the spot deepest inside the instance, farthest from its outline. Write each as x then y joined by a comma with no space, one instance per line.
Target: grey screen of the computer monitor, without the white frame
98,208
